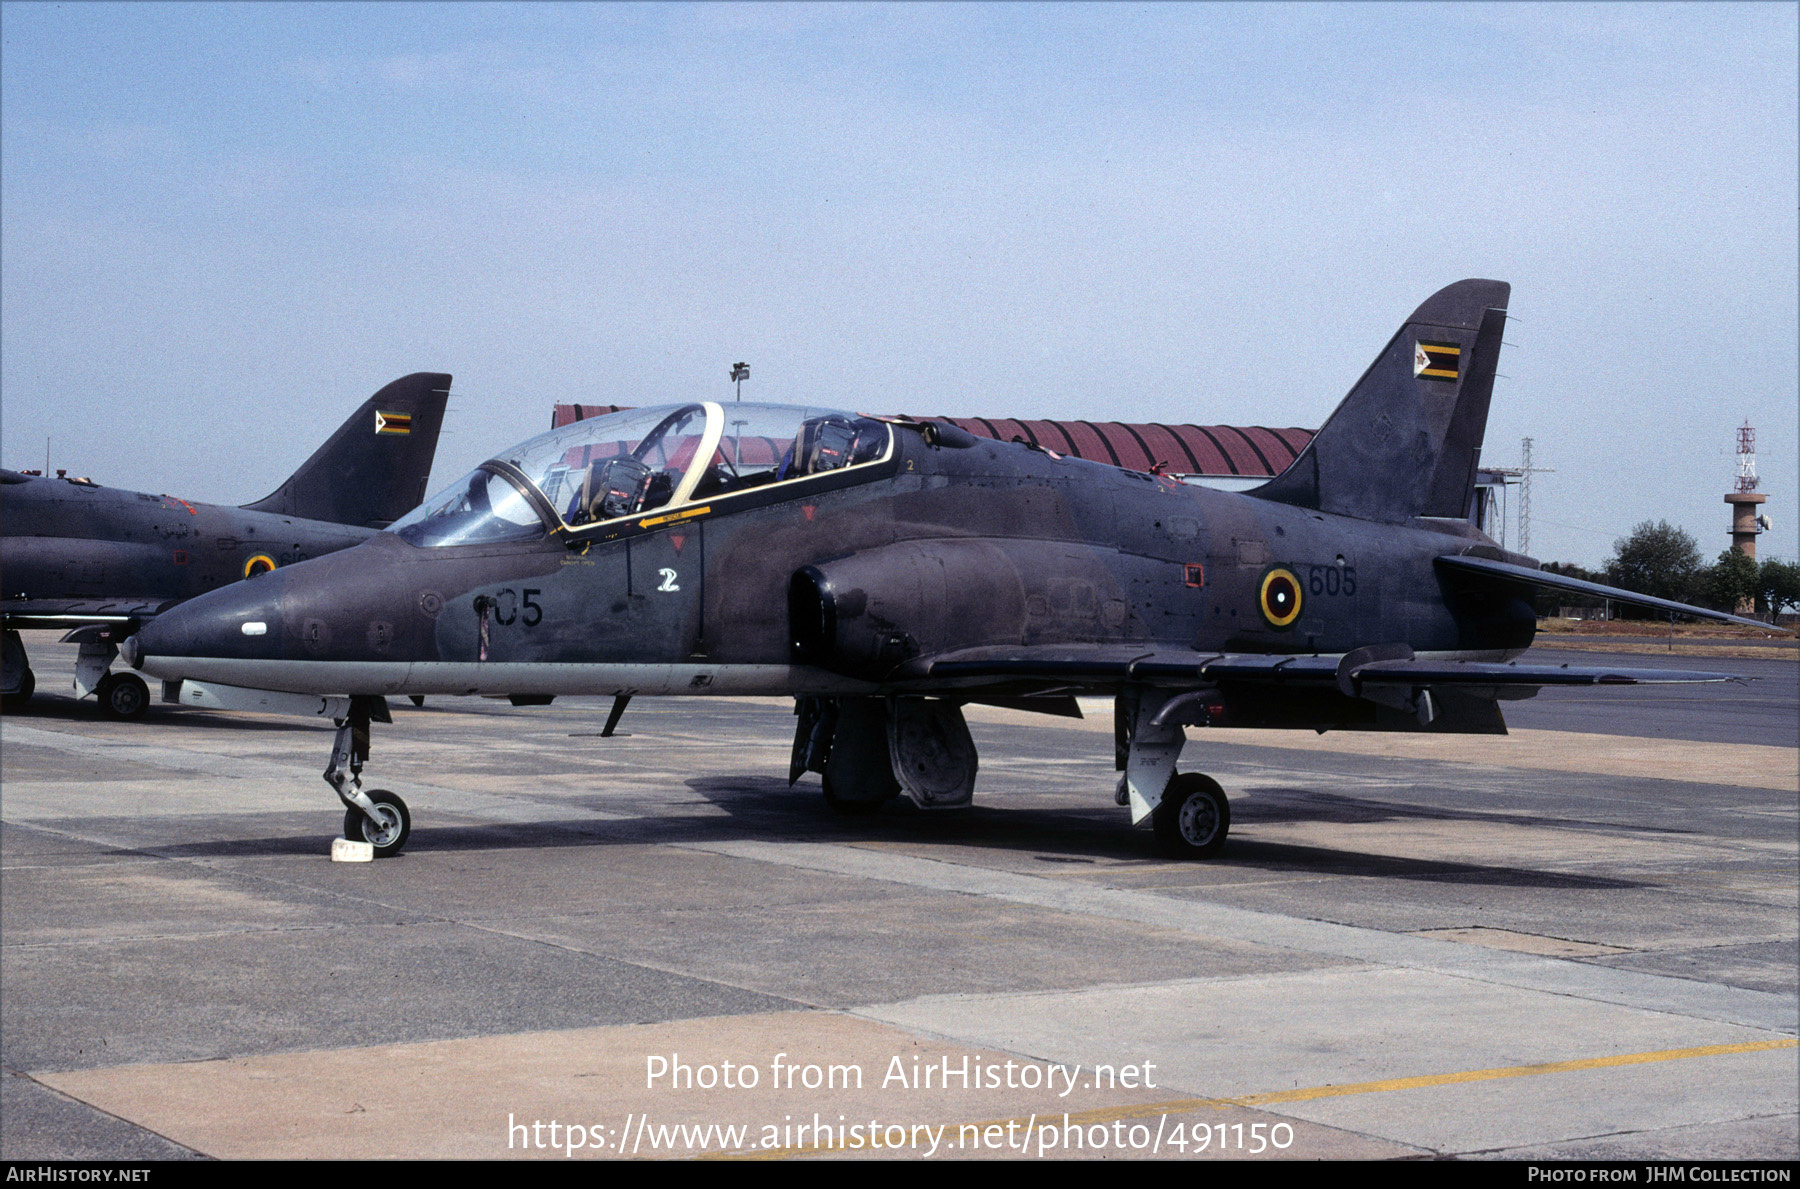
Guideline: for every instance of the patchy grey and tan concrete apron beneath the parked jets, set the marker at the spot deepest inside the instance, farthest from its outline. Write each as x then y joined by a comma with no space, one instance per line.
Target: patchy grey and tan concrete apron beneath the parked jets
1576,942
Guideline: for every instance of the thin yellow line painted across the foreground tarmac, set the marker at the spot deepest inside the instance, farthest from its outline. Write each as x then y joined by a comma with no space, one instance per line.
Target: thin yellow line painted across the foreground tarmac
1182,1107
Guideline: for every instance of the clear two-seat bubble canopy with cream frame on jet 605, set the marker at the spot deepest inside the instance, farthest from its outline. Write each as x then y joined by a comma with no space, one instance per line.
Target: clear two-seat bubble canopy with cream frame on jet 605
613,469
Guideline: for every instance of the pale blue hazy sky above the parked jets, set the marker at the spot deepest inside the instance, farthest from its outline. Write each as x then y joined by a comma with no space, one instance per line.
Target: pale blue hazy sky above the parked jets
224,226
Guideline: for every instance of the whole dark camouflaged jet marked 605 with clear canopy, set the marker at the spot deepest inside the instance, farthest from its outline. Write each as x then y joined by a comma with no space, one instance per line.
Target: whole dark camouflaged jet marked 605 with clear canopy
886,573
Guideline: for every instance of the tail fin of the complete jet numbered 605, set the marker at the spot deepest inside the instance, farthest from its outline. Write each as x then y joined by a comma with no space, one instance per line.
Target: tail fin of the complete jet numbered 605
1407,440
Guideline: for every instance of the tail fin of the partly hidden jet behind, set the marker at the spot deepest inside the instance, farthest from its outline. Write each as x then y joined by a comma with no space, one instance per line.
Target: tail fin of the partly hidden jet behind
375,469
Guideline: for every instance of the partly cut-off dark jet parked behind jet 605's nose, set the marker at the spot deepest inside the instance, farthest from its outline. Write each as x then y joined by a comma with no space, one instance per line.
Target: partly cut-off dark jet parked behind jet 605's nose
103,562
